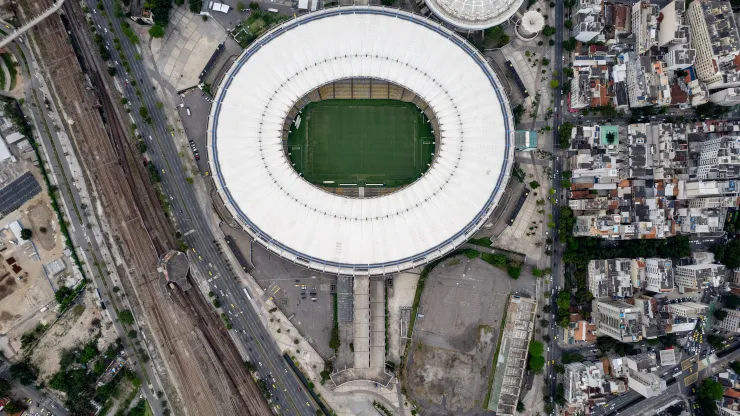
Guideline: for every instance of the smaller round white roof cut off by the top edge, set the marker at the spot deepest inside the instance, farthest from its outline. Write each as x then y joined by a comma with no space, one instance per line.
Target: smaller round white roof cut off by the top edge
474,14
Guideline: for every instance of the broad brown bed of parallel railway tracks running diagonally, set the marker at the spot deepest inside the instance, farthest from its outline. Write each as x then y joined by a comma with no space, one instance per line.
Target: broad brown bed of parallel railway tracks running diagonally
205,368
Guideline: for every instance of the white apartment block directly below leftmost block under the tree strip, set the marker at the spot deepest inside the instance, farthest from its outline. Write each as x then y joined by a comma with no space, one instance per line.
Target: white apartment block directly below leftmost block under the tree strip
617,319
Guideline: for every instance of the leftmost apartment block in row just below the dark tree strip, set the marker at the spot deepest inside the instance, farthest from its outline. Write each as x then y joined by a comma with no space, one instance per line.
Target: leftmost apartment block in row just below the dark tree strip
610,278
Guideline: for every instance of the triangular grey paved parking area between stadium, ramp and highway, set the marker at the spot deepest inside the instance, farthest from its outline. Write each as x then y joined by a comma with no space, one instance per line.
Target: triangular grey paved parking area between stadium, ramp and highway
285,282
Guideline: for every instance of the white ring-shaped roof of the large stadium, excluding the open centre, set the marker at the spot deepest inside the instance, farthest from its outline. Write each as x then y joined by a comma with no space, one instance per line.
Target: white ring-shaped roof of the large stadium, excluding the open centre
337,234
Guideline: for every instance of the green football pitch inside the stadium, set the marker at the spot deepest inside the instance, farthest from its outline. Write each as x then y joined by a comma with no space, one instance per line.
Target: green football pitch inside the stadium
341,142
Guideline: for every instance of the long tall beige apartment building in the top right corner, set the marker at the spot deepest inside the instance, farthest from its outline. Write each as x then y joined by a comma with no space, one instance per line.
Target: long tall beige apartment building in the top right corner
714,35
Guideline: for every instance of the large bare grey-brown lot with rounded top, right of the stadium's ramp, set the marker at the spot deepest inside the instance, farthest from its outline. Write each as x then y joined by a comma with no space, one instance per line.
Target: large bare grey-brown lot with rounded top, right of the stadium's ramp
453,344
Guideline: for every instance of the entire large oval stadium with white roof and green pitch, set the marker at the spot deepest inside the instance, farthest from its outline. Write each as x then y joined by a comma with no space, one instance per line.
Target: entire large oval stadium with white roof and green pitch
360,140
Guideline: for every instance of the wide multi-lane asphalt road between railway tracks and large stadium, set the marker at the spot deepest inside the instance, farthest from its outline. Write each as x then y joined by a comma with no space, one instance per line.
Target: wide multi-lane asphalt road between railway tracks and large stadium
205,257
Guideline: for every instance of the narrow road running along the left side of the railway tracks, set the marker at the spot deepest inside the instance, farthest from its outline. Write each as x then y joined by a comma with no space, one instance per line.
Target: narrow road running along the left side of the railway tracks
59,167
